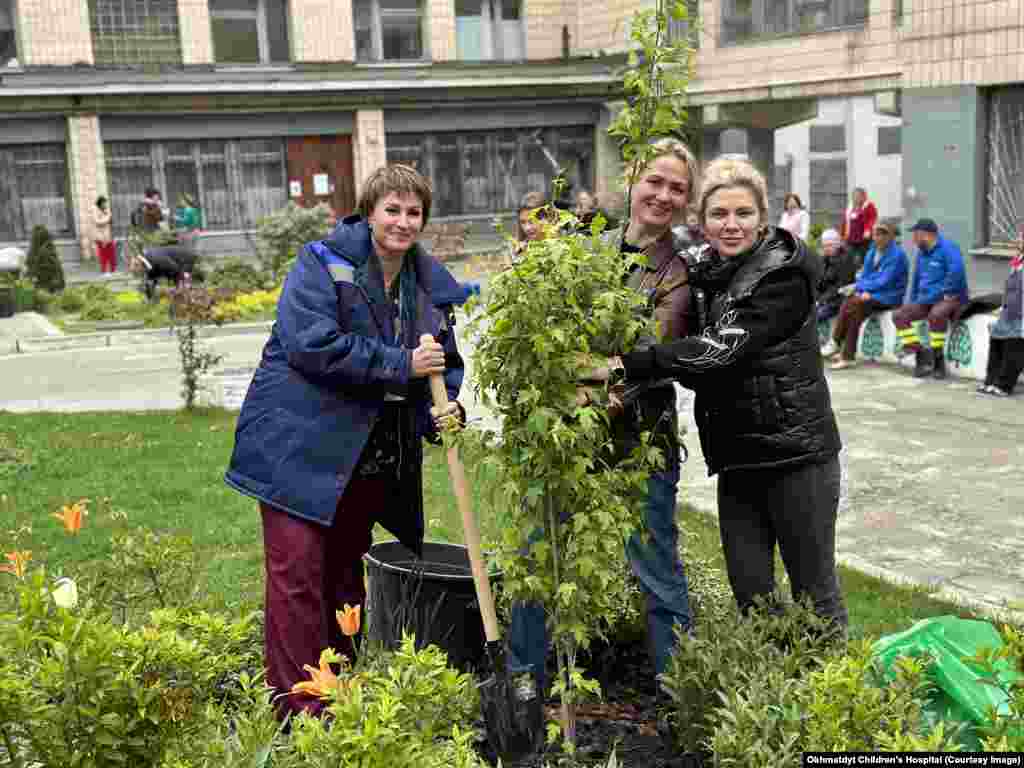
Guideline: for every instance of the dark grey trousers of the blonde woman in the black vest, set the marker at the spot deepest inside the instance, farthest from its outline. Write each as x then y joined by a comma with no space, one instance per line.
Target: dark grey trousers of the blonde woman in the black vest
795,508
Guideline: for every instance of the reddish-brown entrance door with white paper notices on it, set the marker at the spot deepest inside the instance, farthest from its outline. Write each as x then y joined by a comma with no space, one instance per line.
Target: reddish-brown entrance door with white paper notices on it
320,170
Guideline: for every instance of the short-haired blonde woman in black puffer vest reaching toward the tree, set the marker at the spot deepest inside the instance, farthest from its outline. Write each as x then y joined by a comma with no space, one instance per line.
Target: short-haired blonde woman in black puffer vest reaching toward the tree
762,406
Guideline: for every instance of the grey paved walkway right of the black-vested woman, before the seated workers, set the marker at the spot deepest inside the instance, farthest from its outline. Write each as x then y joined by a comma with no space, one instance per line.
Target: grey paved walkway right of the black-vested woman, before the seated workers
933,492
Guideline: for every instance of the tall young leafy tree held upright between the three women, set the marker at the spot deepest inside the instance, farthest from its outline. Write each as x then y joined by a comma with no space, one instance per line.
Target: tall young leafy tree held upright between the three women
567,302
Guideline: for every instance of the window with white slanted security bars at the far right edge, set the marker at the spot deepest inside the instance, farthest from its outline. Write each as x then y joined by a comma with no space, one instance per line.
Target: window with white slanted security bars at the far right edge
1006,164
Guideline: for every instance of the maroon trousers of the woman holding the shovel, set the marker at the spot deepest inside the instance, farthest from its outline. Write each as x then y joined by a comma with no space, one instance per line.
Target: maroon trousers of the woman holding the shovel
312,572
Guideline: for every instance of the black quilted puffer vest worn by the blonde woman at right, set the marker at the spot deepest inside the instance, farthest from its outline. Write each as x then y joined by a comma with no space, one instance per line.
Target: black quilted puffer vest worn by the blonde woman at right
777,411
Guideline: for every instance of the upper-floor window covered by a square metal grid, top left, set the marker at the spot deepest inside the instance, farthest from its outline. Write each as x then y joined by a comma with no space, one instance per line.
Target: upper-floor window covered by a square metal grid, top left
136,32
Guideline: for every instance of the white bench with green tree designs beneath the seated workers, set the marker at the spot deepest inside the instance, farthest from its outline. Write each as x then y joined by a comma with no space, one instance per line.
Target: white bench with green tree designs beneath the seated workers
967,343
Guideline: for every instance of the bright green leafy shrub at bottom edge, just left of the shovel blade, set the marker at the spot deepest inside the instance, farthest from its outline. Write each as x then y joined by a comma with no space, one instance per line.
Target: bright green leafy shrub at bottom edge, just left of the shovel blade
405,710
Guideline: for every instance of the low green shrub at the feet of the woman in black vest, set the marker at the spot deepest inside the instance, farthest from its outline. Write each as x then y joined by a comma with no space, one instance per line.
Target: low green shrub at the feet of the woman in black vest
736,657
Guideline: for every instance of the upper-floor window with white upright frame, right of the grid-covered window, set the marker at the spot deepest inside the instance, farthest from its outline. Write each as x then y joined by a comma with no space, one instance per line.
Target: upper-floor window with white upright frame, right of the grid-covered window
249,31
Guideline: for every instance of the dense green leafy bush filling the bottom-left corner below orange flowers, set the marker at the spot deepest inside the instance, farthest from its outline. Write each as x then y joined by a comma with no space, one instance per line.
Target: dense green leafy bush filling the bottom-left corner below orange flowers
78,691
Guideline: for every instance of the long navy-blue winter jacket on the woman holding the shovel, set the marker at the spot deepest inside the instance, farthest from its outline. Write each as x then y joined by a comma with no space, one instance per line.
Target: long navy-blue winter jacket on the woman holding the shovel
331,360
